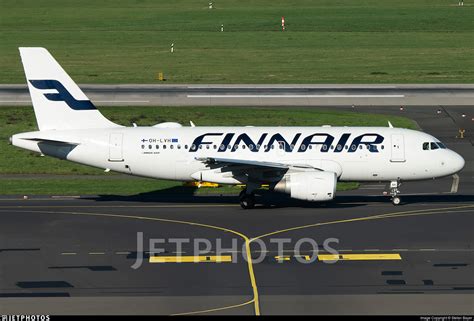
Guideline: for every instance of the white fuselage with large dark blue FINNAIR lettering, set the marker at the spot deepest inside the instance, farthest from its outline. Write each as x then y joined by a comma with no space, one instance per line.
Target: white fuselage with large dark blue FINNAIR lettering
353,153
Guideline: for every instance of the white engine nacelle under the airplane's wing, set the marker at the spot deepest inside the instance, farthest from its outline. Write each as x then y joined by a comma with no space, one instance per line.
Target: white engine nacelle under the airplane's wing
309,186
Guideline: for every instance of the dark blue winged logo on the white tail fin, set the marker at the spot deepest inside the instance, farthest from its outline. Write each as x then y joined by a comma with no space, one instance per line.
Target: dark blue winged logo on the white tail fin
62,94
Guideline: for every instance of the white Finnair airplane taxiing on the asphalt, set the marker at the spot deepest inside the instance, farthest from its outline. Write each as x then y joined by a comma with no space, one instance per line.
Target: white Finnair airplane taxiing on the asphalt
304,162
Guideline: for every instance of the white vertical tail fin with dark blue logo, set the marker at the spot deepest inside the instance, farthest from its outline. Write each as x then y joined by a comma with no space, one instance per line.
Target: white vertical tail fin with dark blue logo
58,102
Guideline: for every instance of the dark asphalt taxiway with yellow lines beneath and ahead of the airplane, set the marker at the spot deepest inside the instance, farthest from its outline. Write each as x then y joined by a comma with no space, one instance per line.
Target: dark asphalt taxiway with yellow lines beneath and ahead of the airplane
356,255
